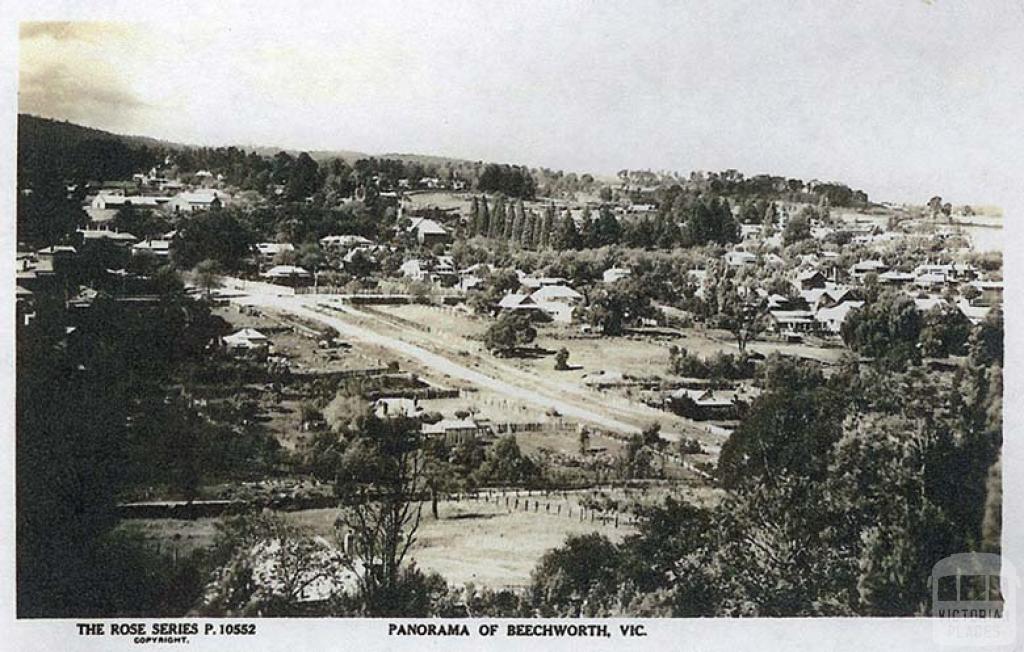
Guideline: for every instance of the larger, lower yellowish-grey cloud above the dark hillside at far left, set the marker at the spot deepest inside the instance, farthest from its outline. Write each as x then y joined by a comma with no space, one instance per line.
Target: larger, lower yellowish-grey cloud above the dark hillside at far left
57,91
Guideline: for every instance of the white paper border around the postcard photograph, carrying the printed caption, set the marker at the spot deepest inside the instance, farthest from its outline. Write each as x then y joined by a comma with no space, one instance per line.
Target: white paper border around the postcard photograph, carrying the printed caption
796,634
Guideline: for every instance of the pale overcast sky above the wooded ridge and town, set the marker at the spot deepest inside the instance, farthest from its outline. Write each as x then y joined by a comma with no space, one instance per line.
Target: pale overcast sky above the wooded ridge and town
905,99
